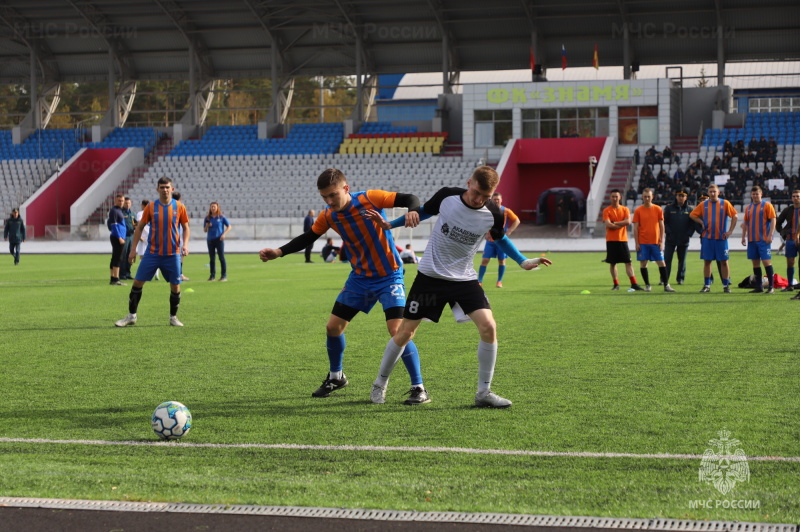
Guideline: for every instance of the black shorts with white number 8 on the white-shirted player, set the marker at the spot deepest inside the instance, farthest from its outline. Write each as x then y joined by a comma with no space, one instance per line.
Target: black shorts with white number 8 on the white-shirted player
428,296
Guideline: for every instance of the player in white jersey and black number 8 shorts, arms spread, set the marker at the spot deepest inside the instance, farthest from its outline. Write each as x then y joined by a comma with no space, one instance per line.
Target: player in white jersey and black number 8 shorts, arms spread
446,275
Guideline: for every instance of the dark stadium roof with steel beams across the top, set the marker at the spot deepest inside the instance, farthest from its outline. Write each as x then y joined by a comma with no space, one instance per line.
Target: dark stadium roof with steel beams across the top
77,40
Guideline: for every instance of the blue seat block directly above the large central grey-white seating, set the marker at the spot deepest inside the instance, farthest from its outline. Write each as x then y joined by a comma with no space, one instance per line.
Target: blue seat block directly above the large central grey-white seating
243,140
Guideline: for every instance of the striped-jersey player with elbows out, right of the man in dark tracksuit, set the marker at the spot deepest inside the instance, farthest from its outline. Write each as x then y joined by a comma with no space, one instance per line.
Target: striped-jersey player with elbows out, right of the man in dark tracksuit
717,219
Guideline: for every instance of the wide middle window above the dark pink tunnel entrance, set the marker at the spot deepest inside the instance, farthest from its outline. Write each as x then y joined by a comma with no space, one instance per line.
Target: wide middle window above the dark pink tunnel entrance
556,123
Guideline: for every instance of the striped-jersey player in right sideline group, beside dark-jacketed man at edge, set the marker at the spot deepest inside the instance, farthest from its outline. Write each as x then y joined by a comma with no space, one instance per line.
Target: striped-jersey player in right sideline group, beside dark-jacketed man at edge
757,232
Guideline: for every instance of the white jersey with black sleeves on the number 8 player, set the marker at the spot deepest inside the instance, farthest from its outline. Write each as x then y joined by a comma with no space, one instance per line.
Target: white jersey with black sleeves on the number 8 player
457,235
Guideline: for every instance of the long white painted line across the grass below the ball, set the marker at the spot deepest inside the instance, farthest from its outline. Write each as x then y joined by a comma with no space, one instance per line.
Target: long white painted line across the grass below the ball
385,448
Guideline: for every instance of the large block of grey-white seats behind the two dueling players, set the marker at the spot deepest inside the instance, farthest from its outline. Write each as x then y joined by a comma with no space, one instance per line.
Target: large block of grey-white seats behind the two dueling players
238,182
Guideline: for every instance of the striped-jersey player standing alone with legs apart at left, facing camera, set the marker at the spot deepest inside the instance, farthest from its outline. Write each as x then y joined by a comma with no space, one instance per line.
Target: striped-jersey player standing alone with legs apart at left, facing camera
164,250
